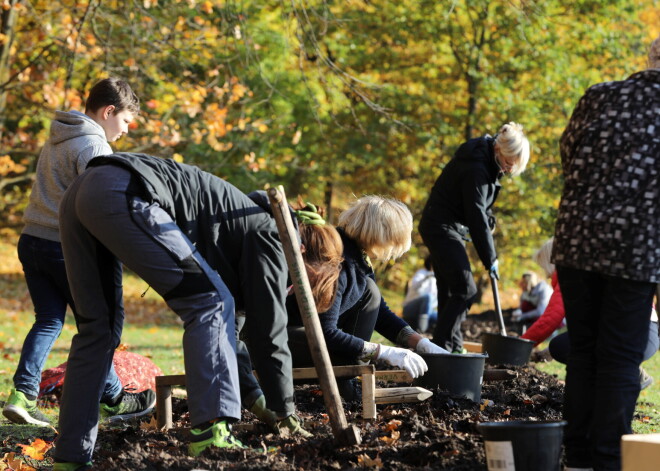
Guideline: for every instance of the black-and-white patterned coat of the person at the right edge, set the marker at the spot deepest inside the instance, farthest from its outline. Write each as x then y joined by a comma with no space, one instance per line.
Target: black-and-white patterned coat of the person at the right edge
609,215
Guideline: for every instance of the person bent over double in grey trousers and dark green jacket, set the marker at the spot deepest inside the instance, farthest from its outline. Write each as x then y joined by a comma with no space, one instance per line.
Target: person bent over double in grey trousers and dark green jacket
207,249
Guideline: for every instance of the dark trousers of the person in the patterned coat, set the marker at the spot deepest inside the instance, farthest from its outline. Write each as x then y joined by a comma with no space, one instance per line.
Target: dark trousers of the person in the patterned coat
608,327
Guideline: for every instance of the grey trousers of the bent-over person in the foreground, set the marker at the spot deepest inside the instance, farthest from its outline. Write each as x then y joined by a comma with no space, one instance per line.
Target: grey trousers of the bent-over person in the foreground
101,226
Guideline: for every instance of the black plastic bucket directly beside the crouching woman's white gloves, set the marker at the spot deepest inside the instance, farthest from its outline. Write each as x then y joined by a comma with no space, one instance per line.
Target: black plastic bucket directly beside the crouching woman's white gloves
460,375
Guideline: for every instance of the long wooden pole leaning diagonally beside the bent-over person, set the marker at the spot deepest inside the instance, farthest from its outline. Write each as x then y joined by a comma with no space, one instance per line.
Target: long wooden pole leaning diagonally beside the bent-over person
343,433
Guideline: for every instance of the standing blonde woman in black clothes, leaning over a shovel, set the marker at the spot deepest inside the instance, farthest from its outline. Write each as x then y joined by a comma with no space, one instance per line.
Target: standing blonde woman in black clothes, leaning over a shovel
461,204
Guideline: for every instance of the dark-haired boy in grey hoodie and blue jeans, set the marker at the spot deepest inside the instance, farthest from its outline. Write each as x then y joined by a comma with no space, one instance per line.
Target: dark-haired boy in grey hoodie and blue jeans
75,139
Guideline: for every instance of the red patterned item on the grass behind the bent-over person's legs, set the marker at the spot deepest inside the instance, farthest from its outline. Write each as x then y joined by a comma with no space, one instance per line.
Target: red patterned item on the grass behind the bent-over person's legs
136,372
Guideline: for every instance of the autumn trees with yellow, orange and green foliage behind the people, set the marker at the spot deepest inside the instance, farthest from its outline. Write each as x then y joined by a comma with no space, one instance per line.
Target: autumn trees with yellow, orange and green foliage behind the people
332,99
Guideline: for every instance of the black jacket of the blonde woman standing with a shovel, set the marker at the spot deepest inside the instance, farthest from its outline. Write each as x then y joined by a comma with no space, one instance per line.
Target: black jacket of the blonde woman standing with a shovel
463,196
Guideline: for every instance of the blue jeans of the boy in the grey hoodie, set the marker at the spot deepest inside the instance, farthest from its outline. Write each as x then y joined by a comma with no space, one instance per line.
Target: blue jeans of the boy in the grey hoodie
45,275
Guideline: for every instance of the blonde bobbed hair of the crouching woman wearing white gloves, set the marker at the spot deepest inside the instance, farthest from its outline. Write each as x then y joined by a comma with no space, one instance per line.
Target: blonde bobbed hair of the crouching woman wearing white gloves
381,226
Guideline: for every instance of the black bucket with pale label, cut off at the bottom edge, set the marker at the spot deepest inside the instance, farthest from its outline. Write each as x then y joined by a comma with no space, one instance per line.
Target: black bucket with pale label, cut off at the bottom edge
523,445
